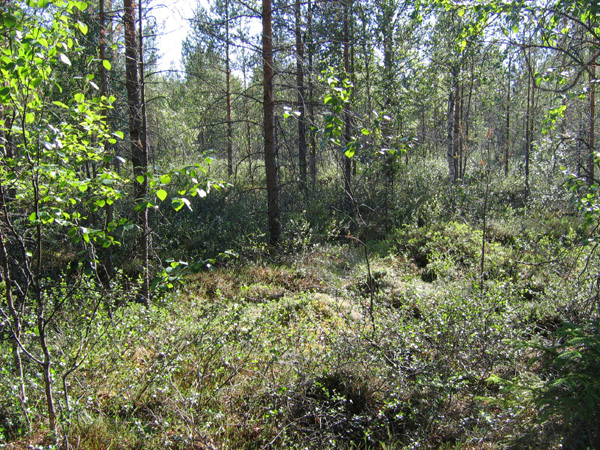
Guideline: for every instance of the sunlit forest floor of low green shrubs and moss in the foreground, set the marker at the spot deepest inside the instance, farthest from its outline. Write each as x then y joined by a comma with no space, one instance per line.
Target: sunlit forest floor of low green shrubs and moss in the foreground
429,340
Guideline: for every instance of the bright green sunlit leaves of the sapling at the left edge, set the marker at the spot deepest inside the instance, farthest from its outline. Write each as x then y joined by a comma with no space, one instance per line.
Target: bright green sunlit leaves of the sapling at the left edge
60,137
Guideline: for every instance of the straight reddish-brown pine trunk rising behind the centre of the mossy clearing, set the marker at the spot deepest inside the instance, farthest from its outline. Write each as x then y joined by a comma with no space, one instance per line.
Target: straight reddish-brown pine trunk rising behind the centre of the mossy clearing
269,126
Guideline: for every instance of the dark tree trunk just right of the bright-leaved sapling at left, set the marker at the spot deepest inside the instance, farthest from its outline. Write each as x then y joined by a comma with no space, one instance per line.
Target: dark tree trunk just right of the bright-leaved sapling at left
139,157
